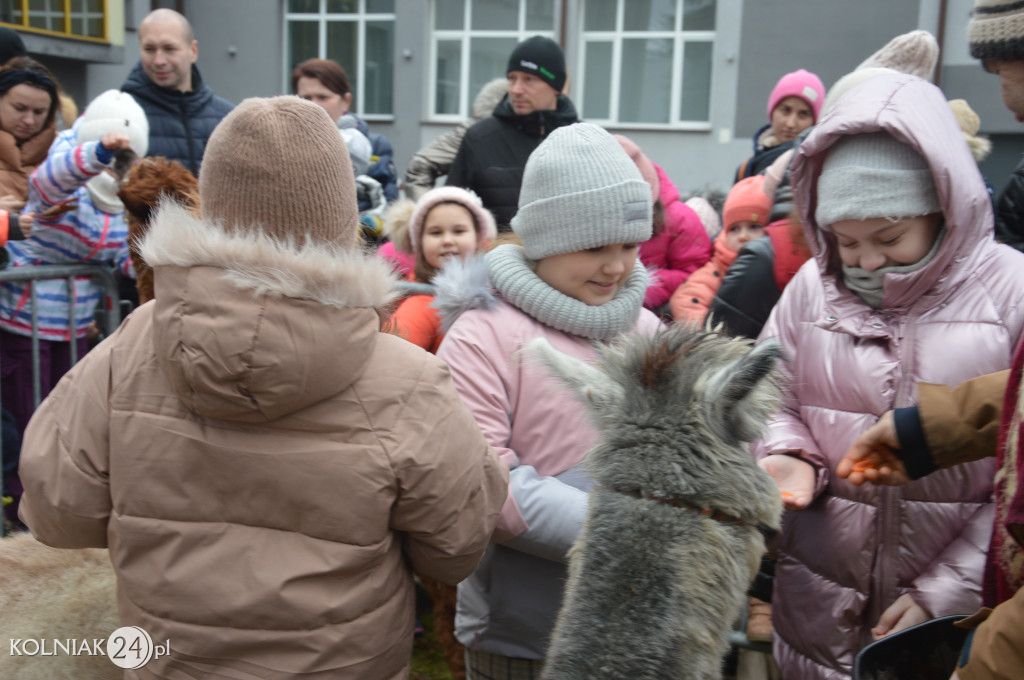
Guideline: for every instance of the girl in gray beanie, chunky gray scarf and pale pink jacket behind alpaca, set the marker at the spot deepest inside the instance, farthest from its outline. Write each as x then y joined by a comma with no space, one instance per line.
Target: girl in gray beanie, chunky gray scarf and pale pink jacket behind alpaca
575,280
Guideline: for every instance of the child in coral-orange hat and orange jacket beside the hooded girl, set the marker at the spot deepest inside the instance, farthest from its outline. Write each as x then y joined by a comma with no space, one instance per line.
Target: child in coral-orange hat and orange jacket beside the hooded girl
745,216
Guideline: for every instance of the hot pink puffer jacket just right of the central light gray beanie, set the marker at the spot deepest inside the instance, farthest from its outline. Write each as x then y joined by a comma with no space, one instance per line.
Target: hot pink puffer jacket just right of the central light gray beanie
676,253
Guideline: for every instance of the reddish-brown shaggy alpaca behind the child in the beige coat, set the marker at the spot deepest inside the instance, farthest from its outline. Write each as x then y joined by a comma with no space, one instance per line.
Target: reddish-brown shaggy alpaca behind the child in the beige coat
146,183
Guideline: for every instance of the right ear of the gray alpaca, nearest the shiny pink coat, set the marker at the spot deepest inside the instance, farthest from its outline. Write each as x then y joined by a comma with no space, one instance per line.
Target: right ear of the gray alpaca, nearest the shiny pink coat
748,393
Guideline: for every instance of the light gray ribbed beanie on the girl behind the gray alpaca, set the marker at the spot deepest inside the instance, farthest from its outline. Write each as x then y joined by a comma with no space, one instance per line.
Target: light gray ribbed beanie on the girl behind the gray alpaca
580,191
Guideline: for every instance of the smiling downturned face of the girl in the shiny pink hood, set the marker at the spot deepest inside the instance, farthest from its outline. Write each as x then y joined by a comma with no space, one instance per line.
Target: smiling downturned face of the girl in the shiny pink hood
877,243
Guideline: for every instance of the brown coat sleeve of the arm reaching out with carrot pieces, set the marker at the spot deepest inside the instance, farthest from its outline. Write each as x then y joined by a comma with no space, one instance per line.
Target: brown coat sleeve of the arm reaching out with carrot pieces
962,424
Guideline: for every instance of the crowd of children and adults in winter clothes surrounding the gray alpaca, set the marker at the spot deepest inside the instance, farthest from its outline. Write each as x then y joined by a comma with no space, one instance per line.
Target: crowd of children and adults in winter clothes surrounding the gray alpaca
275,462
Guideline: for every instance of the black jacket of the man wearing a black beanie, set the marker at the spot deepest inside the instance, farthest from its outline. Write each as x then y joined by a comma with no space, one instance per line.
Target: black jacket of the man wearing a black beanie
494,153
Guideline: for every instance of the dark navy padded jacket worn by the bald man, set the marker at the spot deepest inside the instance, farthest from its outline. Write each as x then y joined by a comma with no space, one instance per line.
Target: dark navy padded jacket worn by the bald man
181,123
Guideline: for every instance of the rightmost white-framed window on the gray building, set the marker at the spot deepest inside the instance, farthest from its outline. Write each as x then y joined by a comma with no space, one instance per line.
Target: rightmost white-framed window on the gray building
679,39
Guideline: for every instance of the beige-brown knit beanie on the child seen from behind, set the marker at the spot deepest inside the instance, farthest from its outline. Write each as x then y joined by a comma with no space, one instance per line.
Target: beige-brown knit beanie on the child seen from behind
278,166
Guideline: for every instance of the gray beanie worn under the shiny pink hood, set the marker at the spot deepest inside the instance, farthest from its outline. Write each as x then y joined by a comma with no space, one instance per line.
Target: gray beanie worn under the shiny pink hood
874,176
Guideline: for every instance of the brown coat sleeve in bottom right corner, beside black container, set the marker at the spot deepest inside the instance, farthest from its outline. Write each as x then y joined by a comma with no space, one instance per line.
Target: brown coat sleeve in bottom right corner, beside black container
998,650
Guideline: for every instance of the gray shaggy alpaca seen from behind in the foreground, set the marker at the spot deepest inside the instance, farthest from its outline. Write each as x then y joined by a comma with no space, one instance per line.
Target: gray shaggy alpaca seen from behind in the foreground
673,534
